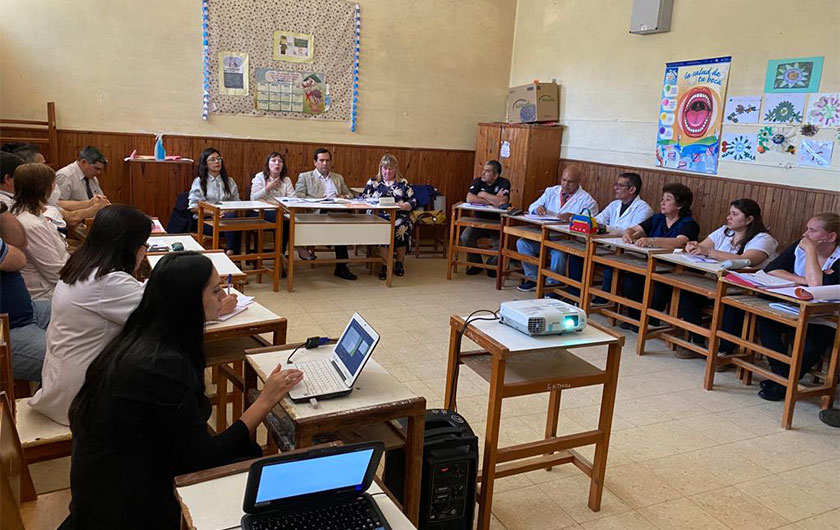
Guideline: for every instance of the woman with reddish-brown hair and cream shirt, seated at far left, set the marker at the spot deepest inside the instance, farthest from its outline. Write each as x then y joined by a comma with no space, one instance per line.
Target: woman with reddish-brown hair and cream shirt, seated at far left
46,251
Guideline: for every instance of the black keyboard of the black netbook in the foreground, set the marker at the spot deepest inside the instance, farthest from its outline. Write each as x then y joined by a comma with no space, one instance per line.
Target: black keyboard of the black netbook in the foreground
358,514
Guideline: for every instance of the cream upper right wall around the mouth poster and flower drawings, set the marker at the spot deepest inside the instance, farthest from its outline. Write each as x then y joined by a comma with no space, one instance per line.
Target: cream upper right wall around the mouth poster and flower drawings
611,80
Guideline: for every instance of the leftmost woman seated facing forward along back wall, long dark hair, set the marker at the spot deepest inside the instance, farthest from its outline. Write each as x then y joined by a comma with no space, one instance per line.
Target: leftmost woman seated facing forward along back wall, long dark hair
212,184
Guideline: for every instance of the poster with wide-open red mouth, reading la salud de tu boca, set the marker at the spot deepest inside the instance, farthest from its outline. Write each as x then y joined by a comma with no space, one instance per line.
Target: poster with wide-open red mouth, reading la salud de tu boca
691,114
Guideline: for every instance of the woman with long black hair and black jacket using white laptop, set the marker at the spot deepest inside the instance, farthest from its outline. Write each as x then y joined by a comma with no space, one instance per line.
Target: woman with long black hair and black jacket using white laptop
140,419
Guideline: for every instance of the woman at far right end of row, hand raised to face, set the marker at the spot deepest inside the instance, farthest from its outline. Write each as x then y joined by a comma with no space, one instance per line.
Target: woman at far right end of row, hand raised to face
812,261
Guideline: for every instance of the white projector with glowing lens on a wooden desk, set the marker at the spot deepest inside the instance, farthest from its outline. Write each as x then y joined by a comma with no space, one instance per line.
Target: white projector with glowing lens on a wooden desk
544,316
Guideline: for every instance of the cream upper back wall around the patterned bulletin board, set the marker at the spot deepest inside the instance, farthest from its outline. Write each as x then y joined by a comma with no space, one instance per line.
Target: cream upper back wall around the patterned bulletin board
429,70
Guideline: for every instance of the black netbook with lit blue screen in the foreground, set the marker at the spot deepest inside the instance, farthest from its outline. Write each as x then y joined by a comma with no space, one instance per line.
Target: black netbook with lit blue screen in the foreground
321,488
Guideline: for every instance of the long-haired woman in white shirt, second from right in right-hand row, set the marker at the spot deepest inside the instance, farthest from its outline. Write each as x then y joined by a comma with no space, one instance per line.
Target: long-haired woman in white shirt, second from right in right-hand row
744,236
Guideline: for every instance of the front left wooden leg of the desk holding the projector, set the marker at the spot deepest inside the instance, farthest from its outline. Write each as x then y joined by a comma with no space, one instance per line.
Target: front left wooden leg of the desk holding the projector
491,443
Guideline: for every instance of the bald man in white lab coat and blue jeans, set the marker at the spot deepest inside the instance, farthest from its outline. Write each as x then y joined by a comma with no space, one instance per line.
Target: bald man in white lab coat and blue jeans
563,202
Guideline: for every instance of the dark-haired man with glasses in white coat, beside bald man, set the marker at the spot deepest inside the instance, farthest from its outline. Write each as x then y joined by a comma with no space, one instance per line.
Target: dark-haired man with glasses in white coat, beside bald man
628,209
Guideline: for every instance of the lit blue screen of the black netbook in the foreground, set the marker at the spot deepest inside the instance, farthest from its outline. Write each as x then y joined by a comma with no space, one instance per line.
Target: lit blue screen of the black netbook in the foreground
313,475
